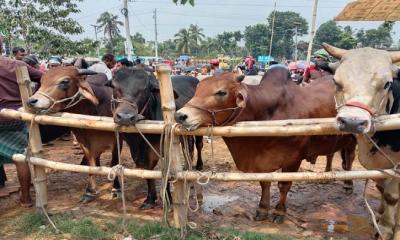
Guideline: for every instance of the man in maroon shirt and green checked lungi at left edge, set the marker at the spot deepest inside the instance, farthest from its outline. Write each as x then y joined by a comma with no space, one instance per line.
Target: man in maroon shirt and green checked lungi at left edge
13,134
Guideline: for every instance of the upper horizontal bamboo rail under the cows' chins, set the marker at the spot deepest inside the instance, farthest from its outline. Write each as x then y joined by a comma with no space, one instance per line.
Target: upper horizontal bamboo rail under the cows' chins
292,127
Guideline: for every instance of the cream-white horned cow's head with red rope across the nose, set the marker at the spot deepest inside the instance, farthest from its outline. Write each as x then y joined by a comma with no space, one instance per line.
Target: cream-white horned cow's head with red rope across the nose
363,79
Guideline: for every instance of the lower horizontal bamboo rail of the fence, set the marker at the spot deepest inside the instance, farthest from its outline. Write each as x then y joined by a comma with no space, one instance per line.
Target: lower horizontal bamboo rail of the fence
219,176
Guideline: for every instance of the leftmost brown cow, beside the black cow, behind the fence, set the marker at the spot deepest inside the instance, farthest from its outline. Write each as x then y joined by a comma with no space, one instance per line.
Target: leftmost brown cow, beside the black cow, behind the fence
67,89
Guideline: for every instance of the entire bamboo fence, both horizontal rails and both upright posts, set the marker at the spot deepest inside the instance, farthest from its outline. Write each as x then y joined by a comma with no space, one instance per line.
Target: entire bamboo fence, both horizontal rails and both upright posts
265,128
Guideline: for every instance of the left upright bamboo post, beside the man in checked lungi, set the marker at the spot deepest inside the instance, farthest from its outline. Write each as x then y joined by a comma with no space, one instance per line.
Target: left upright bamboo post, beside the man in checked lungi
38,172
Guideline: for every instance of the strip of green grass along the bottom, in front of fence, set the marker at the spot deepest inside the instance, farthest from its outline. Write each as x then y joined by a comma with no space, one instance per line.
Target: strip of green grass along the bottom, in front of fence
36,226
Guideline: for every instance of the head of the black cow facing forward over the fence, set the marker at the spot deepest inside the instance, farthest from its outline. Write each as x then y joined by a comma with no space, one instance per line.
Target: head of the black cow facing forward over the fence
131,93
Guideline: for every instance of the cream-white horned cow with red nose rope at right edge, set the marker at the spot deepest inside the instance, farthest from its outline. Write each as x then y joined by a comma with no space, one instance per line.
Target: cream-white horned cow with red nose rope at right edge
367,86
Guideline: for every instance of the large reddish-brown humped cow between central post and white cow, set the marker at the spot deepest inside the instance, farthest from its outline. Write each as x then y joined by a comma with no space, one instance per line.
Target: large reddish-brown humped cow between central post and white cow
224,100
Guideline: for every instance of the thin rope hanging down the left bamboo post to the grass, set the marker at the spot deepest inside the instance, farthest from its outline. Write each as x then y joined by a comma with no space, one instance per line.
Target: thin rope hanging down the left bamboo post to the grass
28,160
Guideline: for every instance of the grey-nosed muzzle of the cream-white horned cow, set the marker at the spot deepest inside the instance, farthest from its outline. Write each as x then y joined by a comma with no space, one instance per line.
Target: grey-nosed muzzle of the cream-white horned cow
354,120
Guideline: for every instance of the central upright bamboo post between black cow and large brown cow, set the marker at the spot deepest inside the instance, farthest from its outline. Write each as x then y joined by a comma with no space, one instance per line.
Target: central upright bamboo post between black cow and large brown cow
168,108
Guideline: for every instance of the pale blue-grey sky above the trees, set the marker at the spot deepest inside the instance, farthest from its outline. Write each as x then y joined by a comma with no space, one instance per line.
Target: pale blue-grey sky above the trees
212,15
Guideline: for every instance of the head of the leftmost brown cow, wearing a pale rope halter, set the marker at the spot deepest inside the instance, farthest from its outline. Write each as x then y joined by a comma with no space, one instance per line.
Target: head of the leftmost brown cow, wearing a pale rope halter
61,88
